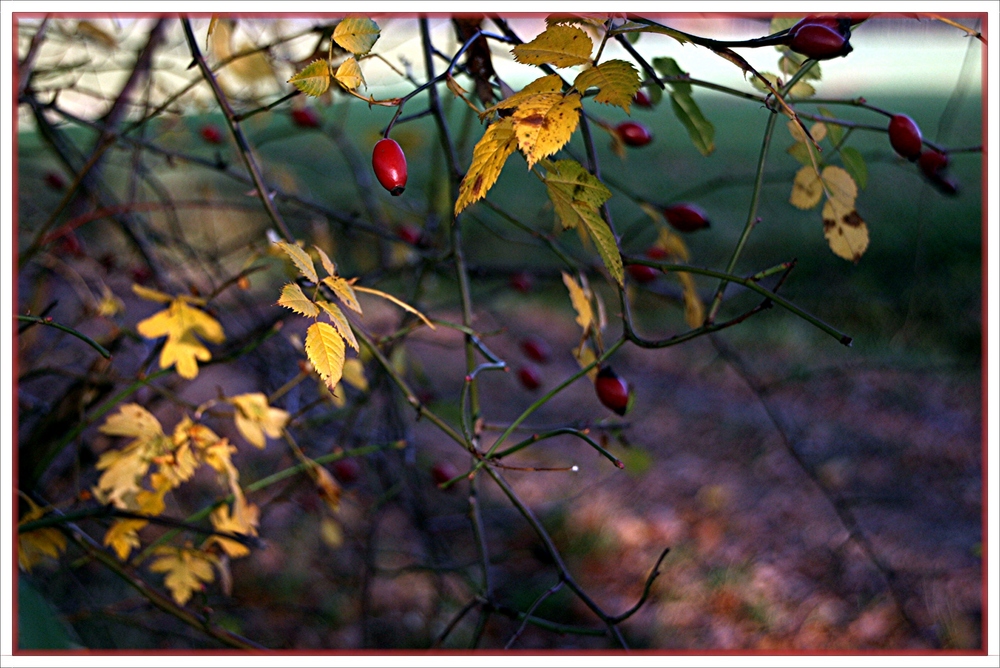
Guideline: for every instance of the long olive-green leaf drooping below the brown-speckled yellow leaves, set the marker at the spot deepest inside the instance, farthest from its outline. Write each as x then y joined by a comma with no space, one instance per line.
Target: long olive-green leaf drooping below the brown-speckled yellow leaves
577,196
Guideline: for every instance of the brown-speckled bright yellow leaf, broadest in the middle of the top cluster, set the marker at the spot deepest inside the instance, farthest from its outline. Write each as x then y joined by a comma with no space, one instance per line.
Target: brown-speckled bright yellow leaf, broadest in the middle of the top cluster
544,123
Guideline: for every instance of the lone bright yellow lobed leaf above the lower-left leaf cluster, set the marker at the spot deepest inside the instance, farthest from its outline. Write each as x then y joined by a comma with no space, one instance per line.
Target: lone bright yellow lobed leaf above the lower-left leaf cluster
182,324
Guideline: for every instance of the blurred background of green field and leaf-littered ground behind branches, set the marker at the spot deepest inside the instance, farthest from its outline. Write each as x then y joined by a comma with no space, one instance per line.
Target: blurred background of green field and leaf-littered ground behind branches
813,496
